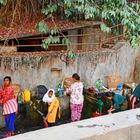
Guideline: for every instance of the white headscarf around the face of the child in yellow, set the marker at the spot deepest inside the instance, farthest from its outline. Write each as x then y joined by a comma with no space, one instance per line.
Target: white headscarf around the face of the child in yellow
47,99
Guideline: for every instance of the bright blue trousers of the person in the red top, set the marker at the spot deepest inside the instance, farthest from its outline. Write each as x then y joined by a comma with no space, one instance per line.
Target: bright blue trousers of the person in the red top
9,120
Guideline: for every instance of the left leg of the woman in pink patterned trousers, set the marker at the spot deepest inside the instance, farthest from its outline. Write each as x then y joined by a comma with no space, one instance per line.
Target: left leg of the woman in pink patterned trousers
73,108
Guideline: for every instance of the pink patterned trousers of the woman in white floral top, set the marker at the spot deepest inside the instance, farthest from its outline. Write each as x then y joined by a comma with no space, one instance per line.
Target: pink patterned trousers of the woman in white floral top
76,110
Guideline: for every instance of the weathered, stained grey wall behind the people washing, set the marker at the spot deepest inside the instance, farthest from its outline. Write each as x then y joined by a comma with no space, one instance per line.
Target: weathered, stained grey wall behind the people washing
32,70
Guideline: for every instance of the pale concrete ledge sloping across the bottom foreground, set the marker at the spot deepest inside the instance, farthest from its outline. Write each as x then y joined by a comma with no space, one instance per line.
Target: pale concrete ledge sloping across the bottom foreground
119,126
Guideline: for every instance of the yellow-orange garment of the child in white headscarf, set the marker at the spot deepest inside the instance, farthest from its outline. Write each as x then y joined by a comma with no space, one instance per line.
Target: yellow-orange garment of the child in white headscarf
52,109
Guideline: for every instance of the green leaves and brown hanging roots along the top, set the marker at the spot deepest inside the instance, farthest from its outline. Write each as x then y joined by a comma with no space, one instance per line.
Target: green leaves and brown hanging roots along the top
110,12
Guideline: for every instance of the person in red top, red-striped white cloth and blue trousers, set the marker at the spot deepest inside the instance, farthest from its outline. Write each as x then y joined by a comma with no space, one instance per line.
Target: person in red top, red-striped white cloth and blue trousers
8,99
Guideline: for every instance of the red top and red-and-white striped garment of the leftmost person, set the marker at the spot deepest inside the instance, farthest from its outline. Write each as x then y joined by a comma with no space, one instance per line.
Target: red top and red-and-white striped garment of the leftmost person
8,100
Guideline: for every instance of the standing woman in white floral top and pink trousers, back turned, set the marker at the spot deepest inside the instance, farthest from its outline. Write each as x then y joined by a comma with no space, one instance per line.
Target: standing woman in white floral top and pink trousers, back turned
76,98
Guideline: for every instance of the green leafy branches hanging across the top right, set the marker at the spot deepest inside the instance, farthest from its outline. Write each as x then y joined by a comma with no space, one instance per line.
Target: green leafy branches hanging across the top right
111,12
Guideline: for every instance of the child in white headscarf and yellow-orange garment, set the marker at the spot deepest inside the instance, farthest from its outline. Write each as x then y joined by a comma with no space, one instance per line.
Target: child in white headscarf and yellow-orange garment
53,107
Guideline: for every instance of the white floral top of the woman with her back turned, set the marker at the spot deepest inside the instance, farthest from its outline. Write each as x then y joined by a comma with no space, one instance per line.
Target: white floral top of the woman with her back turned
76,90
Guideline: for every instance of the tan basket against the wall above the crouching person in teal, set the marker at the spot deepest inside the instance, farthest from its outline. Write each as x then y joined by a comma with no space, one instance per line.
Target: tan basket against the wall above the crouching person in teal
113,81
